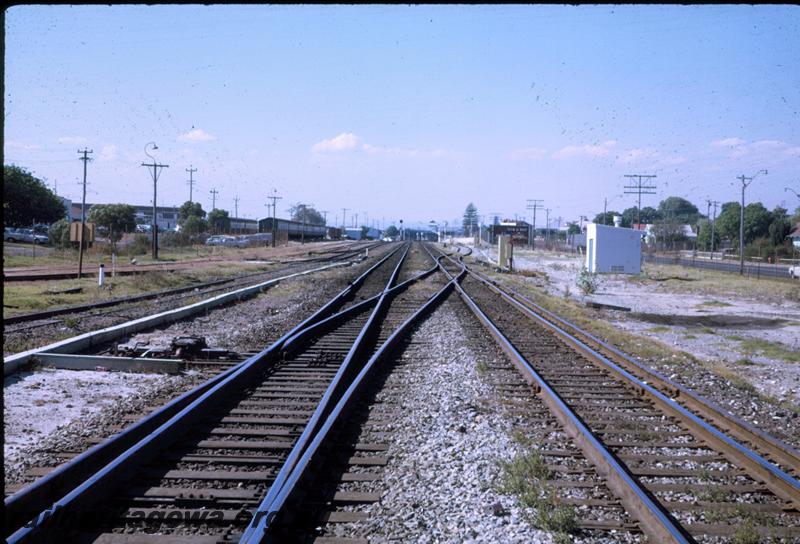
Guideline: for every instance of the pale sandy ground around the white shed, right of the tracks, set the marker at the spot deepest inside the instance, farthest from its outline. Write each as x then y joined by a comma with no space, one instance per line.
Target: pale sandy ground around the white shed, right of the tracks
750,327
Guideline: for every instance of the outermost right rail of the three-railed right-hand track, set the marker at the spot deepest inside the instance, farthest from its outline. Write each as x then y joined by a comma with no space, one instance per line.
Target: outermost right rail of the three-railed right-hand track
782,452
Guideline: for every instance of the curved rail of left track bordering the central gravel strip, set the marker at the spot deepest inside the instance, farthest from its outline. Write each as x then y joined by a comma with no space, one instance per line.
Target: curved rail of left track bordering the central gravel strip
270,513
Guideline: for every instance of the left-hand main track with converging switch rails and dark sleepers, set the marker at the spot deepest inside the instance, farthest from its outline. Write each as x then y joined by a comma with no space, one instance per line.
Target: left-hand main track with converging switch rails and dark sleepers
261,416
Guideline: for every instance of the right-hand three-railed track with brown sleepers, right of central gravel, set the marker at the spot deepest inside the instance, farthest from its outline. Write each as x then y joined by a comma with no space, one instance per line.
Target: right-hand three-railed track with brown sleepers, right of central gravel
682,479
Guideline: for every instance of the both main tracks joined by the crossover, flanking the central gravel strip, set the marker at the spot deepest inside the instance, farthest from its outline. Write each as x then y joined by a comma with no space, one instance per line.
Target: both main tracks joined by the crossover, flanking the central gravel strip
267,450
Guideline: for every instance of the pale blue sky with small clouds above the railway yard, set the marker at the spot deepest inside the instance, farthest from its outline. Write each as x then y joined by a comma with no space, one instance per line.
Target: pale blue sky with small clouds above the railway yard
407,111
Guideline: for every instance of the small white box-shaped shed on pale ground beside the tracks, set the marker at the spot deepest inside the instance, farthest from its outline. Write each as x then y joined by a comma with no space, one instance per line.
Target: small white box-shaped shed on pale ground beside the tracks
613,250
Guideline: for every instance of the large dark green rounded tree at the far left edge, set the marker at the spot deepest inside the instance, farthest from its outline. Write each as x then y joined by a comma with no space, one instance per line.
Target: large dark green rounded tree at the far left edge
27,200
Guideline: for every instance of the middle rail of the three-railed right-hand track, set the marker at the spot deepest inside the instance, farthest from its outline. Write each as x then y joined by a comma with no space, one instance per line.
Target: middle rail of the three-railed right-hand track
773,477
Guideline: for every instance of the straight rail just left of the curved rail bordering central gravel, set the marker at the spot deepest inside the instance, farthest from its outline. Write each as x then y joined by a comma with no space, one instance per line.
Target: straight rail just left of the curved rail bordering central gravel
331,393
